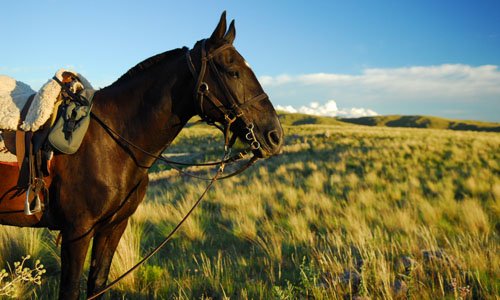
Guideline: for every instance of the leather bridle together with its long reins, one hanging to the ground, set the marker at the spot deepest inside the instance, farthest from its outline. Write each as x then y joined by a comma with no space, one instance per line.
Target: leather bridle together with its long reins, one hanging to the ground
230,116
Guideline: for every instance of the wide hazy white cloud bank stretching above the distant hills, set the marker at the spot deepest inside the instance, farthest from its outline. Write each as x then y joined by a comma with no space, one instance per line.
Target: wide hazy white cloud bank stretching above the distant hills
449,90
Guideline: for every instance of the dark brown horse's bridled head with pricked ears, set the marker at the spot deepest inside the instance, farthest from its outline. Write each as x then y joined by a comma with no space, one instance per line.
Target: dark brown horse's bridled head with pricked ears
228,92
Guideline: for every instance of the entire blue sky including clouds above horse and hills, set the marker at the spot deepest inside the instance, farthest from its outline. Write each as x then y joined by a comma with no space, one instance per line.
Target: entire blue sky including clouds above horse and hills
339,58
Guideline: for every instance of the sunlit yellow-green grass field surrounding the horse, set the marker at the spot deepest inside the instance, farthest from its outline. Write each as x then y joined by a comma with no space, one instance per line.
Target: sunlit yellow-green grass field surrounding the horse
345,212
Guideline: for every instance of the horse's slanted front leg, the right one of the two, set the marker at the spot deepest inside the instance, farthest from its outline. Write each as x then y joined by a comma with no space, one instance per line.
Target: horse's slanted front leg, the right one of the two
103,249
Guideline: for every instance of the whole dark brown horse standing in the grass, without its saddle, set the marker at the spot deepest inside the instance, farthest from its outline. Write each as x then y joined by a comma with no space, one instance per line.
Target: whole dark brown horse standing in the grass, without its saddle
95,191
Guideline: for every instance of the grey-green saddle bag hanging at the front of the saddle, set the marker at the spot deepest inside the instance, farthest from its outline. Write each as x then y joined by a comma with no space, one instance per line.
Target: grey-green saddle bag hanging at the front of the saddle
71,123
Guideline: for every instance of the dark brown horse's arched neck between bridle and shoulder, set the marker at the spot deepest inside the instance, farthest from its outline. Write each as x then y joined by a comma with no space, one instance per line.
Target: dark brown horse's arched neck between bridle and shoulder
149,109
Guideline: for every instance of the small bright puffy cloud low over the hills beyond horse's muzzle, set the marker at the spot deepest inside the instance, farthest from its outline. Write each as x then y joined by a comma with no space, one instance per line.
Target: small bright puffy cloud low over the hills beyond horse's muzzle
329,109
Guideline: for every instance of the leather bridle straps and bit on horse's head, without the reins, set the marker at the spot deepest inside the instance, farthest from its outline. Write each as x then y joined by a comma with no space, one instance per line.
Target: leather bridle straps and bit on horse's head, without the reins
234,110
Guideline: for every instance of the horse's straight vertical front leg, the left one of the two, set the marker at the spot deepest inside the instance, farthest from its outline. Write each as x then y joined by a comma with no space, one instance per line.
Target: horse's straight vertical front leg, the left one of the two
73,252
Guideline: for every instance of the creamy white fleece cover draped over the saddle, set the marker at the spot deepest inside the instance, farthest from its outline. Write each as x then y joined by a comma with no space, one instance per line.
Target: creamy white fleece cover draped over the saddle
14,95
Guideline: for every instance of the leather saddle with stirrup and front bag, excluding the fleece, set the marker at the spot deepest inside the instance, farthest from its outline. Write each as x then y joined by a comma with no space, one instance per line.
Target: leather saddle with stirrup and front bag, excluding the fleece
62,133
